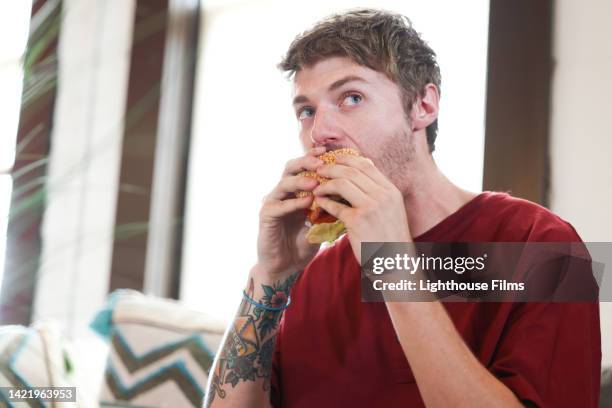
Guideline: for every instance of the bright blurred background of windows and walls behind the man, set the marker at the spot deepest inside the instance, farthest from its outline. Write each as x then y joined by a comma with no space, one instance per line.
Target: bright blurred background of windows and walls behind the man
138,137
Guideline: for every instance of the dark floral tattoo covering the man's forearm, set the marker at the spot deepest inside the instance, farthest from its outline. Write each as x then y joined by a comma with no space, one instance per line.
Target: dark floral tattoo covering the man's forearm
249,346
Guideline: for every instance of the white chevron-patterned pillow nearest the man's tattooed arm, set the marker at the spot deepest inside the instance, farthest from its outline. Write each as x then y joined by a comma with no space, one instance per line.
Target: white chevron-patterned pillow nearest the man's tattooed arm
160,351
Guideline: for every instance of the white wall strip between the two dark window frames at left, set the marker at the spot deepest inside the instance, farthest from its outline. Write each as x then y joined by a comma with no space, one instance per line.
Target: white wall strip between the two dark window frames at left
83,174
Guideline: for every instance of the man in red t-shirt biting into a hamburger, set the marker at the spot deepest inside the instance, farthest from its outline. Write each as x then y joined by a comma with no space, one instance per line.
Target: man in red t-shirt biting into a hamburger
366,80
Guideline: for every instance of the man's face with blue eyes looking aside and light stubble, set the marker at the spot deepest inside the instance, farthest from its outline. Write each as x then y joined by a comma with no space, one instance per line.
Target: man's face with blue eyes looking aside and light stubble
339,103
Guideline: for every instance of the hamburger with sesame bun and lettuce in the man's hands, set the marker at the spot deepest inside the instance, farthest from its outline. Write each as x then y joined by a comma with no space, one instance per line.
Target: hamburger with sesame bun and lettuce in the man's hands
323,227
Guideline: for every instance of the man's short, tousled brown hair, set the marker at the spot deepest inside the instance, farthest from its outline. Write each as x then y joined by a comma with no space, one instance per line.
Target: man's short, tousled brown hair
377,39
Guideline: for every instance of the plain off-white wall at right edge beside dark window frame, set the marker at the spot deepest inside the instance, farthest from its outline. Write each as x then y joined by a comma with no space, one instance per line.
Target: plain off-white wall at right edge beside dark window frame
581,127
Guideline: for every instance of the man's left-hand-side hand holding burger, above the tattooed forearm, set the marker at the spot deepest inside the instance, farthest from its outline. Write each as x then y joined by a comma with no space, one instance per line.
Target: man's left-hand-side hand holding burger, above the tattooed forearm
282,248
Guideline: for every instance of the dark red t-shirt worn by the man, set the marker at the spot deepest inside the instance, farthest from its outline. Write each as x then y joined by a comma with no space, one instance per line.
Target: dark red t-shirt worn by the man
333,350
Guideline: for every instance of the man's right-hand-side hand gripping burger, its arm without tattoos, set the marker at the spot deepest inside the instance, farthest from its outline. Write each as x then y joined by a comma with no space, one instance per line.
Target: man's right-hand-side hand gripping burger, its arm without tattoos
377,212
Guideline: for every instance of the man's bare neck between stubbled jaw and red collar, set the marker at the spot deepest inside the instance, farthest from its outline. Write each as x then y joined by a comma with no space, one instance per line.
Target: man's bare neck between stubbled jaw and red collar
431,197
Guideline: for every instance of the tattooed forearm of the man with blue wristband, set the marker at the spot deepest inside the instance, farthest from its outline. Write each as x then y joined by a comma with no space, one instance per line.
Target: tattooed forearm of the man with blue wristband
242,371
